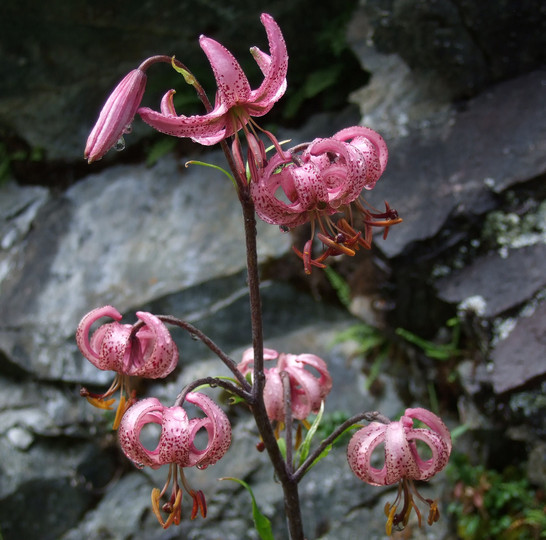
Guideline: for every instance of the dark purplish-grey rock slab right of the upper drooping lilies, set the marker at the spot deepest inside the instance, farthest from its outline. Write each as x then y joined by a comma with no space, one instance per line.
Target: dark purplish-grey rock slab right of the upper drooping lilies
481,152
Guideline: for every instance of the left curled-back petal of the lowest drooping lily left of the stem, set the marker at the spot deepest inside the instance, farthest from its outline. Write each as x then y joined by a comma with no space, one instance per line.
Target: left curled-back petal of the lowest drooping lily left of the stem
143,412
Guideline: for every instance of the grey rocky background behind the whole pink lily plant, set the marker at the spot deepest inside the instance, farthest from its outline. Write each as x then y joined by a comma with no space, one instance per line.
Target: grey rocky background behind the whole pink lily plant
448,312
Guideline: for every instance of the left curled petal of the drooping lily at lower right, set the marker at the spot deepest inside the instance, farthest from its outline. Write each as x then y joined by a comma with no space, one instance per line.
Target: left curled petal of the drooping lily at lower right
360,450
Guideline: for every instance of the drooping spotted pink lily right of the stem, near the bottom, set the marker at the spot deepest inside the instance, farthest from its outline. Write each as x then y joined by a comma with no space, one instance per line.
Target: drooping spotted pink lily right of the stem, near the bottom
402,462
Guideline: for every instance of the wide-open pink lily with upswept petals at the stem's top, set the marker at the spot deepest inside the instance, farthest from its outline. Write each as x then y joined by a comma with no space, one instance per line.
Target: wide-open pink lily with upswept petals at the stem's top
235,101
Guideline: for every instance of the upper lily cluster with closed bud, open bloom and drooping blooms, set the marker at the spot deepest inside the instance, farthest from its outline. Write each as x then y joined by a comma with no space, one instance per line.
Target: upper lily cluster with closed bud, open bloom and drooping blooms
309,183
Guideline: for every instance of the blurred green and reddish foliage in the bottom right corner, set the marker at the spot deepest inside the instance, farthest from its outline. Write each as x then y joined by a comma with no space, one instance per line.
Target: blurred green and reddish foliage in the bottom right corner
490,505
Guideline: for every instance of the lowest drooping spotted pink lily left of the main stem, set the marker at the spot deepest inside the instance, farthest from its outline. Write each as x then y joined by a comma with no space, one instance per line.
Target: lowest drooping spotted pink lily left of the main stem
176,448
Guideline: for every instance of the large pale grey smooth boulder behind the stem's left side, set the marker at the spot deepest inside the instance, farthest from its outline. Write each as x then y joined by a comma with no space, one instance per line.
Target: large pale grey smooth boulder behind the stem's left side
124,236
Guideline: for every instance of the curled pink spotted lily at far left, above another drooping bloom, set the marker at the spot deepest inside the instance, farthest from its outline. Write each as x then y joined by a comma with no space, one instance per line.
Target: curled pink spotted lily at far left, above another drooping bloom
144,350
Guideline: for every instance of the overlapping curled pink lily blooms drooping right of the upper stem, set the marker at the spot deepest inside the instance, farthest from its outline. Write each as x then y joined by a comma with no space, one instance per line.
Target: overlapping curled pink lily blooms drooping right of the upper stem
315,181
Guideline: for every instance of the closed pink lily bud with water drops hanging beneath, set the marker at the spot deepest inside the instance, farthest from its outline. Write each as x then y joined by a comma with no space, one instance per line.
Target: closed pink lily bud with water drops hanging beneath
116,115
